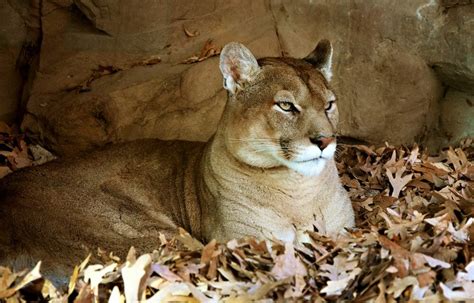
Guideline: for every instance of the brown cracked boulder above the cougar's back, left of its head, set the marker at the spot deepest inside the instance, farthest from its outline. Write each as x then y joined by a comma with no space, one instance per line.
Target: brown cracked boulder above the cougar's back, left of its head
92,87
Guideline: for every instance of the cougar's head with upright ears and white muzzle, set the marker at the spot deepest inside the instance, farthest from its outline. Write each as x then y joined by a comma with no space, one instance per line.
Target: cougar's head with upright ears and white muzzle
281,111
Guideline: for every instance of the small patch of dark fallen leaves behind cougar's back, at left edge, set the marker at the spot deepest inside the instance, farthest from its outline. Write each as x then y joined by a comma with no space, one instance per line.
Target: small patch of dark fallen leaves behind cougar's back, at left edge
15,153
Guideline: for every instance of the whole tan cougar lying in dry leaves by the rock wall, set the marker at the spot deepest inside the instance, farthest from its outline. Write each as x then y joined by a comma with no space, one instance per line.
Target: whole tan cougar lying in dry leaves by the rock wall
267,172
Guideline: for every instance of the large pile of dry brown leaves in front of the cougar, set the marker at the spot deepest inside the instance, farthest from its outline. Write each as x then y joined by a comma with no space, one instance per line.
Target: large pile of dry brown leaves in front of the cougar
412,242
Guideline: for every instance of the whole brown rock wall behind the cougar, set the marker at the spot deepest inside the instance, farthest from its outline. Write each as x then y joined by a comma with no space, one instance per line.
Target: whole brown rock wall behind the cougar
403,69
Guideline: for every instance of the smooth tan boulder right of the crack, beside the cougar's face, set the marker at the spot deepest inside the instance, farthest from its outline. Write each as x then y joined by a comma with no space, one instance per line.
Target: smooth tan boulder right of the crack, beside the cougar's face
393,60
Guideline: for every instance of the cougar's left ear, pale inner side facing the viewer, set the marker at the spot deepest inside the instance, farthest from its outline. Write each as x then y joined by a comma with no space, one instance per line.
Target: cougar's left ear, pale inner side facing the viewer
237,65
